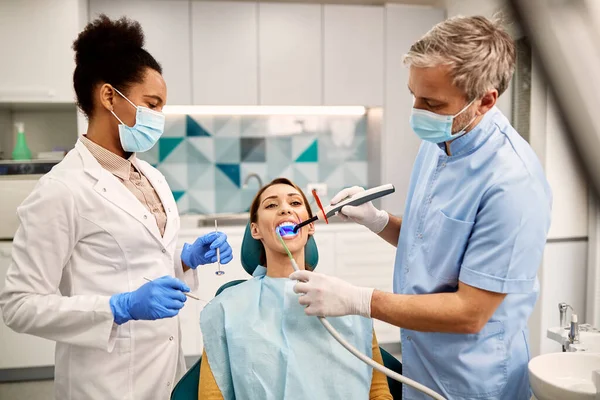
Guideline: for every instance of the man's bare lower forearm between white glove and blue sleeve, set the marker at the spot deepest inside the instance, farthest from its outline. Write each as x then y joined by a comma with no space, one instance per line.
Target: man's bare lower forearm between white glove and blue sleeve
439,312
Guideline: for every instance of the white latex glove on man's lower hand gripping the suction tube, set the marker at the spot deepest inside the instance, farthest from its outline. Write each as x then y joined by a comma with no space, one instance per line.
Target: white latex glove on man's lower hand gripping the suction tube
327,296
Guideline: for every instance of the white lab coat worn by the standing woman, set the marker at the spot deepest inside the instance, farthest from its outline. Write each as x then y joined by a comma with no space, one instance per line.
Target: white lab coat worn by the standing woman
84,237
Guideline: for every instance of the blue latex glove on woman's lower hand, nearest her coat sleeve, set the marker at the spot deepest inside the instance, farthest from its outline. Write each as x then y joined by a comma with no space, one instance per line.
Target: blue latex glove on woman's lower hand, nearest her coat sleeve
161,298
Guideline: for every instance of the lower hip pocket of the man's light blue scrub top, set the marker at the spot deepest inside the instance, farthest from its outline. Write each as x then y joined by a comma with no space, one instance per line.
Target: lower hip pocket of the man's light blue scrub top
473,366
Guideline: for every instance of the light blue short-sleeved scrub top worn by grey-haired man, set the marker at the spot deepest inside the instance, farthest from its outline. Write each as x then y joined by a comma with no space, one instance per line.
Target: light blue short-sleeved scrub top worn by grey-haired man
479,216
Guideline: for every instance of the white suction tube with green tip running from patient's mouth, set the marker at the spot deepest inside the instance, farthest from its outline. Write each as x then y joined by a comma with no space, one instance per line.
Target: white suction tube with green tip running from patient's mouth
367,360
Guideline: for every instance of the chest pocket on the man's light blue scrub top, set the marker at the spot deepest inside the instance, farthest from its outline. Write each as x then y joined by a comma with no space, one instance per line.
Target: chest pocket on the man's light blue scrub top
446,249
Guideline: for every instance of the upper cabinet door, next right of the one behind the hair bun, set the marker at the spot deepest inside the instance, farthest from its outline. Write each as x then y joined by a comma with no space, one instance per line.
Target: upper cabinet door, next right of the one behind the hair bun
225,53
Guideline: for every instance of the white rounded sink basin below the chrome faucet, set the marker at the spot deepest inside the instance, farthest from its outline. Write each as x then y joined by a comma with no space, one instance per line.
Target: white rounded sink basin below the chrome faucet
564,376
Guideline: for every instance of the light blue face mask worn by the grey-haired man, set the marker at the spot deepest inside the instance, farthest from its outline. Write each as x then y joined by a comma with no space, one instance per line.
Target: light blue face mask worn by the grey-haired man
434,127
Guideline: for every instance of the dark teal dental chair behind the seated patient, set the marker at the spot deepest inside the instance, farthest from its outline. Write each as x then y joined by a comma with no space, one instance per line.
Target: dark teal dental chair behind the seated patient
187,387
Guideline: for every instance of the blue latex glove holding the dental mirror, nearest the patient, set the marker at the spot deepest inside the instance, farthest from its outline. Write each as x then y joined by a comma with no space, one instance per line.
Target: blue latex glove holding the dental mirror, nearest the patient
204,250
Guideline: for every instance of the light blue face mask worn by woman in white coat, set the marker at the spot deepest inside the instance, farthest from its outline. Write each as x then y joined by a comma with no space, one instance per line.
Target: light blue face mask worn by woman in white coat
148,128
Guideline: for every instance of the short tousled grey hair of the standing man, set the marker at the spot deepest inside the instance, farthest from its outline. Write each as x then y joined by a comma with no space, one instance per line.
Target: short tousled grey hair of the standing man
480,53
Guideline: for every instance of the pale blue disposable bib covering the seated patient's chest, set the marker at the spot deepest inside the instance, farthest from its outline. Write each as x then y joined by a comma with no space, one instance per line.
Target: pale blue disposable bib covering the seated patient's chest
261,345
